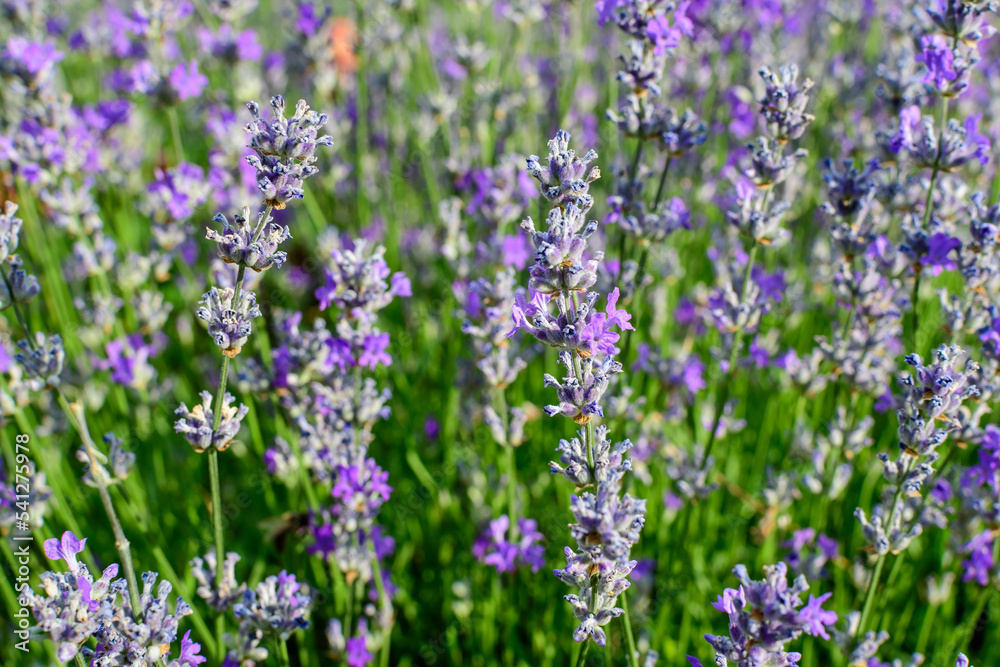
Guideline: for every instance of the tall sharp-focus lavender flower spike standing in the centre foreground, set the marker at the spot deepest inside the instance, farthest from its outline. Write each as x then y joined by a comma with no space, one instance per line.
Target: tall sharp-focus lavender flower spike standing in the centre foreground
607,522
